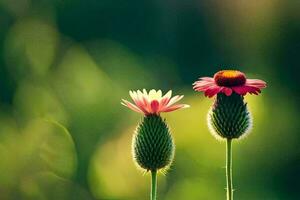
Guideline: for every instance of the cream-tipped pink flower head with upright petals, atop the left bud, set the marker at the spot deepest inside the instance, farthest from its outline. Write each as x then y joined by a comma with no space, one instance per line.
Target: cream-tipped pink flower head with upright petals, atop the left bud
153,102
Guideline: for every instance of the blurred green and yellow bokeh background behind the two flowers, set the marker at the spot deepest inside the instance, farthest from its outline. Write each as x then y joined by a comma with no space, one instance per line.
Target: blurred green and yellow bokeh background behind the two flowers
66,64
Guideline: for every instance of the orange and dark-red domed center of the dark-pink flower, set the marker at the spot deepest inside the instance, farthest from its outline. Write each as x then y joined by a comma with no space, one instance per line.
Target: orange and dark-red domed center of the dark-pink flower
230,78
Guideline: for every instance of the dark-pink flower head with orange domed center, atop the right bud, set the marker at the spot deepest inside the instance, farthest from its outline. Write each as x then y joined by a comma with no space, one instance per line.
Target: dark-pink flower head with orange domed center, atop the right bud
228,81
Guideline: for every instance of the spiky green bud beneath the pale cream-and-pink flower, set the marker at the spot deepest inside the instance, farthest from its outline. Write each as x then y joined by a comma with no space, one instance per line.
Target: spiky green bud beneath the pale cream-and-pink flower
153,145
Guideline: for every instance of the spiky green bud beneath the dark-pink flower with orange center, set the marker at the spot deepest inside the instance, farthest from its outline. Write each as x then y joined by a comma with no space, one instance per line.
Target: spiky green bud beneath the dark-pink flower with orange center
229,117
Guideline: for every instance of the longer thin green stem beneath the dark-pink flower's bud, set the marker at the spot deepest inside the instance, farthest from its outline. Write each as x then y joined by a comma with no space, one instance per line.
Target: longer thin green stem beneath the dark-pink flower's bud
229,169
